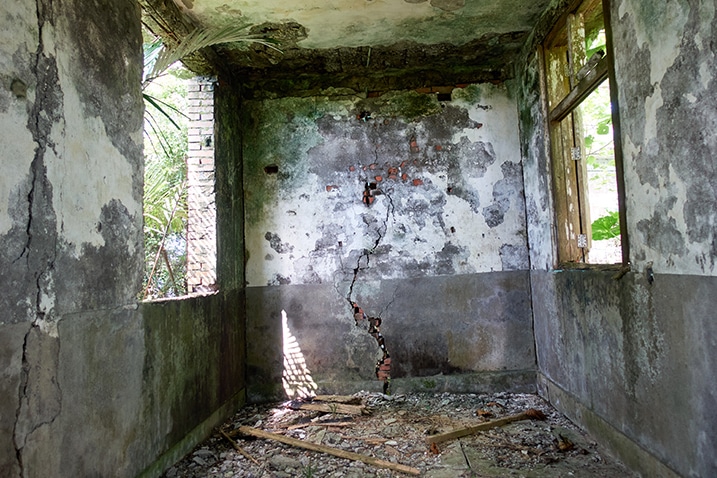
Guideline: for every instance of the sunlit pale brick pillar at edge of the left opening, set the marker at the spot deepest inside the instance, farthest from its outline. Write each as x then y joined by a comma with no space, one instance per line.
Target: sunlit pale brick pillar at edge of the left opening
201,213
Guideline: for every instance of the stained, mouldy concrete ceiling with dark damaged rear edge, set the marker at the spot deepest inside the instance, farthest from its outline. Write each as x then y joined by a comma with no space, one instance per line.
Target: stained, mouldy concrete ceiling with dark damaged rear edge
357,43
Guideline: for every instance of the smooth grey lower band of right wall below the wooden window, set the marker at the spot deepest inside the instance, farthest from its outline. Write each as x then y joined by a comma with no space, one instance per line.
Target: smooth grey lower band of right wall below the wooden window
640,357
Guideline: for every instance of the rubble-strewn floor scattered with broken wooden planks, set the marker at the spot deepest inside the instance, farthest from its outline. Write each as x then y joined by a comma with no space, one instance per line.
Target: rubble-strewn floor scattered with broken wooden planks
397,430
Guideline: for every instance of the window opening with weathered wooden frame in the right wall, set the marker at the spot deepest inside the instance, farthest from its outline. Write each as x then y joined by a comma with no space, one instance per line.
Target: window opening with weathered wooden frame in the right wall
585,159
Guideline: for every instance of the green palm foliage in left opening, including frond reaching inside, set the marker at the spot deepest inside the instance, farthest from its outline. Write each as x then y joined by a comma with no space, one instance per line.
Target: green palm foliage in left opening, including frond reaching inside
165,195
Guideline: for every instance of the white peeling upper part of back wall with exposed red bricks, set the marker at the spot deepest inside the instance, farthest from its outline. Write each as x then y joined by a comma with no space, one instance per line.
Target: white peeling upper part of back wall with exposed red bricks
444,178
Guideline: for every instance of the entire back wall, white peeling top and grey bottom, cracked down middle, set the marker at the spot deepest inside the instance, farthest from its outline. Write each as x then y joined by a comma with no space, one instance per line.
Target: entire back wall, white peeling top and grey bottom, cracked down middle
349,197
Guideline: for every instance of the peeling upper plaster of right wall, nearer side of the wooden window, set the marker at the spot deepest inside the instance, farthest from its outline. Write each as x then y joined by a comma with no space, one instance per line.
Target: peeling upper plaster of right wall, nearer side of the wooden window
667,62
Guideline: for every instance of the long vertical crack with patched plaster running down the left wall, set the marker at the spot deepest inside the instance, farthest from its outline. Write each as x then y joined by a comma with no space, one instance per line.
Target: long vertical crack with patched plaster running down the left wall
40,397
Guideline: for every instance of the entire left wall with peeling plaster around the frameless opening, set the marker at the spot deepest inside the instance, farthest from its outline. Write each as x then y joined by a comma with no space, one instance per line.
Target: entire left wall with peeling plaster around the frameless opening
91,383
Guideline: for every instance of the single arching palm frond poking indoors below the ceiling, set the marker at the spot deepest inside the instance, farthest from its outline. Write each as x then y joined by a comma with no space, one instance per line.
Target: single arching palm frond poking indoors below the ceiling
204,37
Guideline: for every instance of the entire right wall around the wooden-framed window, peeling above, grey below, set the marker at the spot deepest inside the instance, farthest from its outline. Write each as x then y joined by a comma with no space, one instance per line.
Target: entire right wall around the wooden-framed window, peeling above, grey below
613,352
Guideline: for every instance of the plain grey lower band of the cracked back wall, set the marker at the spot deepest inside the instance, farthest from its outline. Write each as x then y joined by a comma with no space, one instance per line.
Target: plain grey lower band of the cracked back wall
437,330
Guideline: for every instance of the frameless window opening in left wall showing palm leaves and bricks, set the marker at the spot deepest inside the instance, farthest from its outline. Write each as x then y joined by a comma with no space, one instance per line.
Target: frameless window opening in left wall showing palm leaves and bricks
178,204
